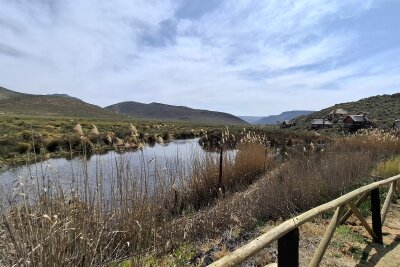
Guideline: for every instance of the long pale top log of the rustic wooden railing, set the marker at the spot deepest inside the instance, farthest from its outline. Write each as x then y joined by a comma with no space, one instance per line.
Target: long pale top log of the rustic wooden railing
241,254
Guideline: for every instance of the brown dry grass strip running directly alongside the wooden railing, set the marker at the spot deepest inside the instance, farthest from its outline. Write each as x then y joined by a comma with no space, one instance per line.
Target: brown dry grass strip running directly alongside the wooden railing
307,178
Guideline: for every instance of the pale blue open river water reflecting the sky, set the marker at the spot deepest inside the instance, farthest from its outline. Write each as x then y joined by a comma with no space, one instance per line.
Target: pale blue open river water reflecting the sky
151,163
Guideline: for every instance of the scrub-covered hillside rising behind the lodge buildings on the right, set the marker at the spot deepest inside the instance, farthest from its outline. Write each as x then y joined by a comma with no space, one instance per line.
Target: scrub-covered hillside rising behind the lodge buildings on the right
381,109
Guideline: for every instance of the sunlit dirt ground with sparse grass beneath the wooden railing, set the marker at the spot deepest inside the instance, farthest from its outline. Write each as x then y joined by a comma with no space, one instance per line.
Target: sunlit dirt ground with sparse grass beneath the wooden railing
351,244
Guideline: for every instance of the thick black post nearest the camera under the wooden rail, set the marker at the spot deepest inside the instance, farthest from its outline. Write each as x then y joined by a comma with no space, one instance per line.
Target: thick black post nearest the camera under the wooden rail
288,249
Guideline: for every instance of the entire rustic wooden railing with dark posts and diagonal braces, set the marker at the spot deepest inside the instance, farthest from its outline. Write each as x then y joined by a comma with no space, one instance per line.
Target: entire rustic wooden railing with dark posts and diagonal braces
287,233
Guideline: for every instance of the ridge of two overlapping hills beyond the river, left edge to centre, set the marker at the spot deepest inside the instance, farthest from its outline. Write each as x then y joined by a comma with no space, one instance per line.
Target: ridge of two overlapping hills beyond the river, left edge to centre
63,105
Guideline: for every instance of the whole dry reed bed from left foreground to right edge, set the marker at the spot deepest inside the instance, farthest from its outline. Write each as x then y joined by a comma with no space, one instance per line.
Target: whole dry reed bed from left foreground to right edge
54,228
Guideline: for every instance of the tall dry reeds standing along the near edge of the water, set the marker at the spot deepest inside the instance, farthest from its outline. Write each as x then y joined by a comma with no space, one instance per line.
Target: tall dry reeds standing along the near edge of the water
45,223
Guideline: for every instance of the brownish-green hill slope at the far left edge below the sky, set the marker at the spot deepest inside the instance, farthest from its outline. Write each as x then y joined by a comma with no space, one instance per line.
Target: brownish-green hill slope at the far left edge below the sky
16,103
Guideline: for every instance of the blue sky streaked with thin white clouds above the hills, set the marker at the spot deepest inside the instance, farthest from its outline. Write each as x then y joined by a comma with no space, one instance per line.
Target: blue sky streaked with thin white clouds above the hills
243,57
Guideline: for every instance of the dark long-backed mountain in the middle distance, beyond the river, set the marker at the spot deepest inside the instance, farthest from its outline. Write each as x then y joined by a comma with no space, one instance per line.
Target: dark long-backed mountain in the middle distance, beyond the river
160,111
